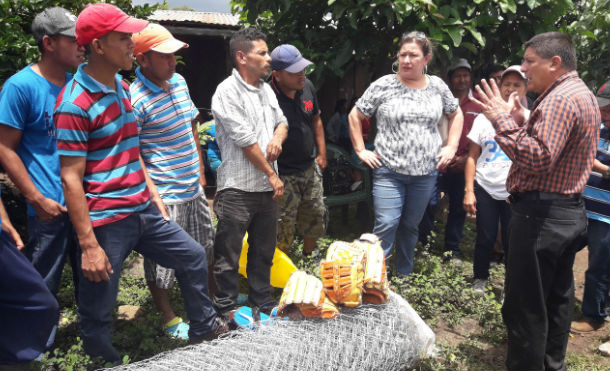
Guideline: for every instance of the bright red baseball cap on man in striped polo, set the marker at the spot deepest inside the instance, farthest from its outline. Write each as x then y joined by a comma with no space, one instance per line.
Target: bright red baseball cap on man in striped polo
96,20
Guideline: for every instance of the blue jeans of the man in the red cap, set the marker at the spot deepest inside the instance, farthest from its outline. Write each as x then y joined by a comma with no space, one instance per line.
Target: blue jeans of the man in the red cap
164,242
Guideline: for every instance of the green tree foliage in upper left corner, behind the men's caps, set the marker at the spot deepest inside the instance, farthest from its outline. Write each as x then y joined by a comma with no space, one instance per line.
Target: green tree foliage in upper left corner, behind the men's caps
17,46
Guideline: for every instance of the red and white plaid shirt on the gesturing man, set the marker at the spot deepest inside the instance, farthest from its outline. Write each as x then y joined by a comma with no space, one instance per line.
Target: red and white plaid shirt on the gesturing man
554,150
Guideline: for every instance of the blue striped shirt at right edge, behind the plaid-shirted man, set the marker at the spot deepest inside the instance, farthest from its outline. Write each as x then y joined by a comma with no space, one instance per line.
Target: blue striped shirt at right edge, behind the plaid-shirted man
597,191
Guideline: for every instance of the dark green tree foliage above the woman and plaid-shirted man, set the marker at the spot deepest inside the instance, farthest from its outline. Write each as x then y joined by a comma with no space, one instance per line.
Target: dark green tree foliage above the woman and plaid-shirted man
338,33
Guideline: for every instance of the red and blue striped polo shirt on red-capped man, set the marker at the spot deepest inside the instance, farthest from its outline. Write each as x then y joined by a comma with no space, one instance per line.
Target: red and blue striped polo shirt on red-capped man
98,123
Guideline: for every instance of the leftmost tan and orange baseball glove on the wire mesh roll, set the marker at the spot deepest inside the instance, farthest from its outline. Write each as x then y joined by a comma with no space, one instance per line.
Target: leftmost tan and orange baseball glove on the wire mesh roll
303,297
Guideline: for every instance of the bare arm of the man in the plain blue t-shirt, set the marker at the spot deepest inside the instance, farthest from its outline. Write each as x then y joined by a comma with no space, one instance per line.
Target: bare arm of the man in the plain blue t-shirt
46,208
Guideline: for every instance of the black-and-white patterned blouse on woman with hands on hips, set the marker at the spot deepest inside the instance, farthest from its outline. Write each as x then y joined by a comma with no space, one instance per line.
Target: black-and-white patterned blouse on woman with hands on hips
408,139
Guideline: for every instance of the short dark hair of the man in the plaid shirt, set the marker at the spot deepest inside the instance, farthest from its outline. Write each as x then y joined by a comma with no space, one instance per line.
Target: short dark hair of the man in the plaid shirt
550,44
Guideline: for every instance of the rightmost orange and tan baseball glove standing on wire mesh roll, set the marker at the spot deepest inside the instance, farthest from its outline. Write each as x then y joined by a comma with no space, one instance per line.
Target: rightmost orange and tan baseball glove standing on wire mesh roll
376,287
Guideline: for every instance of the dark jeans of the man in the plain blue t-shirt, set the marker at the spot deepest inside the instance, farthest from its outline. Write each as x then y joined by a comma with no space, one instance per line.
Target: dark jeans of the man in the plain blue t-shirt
49,244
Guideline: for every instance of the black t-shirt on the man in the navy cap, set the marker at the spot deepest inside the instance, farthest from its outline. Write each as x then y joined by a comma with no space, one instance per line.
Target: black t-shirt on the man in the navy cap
298,150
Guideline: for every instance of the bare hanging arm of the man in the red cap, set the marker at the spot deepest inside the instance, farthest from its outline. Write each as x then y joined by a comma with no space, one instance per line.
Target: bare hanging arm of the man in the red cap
95,263
